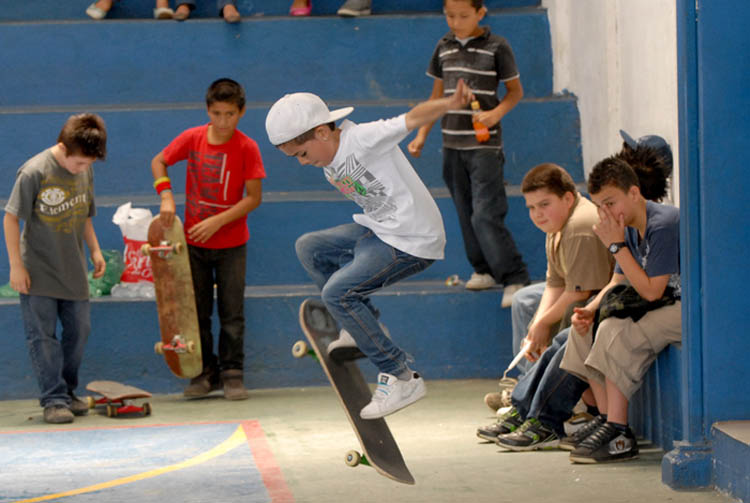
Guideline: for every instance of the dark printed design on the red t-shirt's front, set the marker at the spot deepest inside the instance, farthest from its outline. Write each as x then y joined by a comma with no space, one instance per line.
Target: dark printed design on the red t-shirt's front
211,185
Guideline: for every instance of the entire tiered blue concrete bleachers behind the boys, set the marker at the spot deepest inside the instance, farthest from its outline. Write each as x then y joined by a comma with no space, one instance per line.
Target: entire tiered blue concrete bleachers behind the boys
147,79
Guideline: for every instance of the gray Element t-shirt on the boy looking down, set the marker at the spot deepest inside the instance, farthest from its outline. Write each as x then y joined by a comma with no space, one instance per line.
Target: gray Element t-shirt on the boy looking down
54,205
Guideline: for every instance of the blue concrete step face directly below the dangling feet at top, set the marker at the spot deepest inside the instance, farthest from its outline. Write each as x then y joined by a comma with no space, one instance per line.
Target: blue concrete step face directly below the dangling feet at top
125,62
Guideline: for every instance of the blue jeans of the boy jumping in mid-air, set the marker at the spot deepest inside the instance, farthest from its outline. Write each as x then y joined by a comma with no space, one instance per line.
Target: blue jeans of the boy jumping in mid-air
348,263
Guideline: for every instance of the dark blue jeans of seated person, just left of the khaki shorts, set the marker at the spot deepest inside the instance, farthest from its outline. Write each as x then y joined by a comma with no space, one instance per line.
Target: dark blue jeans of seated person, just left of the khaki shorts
547,392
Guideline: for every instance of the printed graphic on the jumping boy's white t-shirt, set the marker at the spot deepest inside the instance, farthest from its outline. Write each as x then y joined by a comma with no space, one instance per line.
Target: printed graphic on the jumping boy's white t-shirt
356,183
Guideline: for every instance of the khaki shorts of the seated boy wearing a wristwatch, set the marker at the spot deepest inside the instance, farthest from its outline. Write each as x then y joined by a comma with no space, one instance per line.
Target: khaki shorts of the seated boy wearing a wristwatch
624,349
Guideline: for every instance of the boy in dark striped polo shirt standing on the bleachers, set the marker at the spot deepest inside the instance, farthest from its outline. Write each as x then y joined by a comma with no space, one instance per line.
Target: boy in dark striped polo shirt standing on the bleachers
473,170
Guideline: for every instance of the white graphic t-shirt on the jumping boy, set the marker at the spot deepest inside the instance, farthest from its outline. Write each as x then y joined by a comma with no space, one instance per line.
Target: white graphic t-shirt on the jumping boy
370,169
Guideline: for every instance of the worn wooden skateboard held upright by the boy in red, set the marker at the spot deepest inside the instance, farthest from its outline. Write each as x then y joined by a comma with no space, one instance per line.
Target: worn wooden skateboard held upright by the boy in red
175,298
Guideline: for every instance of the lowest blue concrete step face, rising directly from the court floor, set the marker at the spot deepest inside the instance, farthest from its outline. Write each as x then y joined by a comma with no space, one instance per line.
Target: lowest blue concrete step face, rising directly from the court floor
452,334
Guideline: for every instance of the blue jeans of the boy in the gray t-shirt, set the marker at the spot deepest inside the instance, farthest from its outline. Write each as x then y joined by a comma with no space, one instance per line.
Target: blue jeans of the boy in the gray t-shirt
55,362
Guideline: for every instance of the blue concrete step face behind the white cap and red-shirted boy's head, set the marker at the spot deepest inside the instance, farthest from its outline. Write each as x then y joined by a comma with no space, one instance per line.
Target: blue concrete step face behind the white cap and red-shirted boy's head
535,131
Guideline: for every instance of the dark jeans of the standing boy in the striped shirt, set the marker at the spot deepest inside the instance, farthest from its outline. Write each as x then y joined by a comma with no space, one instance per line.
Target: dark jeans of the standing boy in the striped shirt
475,181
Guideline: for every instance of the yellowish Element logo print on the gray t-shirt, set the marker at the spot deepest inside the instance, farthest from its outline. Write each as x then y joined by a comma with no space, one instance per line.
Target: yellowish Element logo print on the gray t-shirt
62,204
